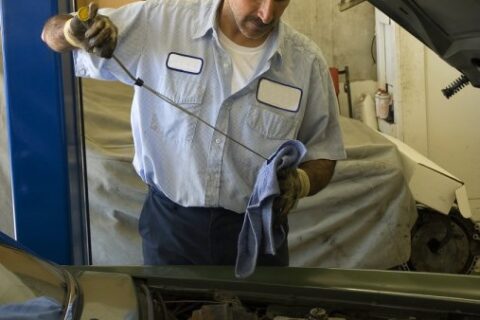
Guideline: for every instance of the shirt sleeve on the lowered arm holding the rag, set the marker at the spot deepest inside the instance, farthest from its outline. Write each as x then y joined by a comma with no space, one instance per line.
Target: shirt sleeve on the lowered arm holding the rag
320,130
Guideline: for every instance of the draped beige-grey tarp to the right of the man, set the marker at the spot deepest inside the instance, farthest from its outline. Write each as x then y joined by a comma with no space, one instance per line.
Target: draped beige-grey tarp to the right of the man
364,217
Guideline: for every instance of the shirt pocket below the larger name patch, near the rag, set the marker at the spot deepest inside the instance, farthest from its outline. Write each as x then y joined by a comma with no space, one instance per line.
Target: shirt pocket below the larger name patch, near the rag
272,124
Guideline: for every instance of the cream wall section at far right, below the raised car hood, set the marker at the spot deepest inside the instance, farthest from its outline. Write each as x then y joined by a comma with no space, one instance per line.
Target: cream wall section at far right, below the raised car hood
444,130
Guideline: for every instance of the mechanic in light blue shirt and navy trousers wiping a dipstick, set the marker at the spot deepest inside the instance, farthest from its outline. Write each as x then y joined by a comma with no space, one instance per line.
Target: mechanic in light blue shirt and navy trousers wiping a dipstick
235,65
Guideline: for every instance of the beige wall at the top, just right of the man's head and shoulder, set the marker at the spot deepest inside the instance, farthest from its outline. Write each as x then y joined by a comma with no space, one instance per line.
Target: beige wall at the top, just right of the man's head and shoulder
345,37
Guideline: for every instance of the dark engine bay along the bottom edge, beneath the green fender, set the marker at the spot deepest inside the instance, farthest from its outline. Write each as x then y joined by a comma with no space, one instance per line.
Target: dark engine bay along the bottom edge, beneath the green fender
171,303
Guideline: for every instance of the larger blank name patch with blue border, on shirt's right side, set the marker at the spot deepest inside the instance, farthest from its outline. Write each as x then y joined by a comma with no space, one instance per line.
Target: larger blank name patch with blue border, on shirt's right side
279,95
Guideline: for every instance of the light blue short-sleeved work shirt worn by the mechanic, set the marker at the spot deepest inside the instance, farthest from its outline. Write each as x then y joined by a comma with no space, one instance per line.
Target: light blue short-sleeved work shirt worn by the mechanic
189,162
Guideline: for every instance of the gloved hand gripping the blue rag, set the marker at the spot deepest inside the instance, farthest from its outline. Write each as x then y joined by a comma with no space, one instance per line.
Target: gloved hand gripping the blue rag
294,184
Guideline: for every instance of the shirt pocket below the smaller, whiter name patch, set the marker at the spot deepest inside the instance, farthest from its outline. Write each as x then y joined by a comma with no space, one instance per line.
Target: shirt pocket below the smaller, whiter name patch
187,91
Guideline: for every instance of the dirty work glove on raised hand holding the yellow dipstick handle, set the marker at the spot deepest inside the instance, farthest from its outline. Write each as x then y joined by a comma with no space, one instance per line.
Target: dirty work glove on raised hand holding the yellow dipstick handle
92,32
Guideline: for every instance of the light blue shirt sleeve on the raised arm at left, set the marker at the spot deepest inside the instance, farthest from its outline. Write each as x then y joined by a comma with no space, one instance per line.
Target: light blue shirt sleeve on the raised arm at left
131,21
